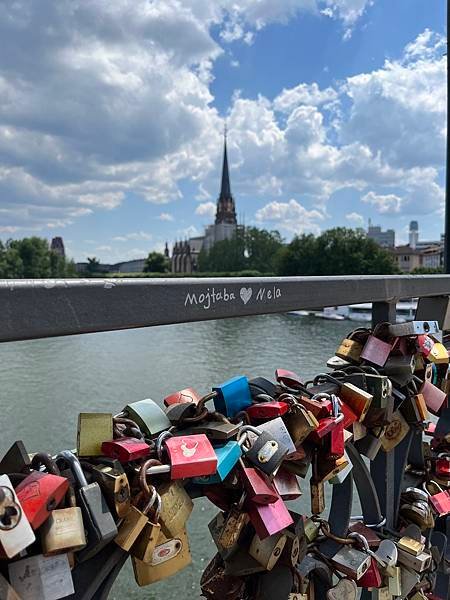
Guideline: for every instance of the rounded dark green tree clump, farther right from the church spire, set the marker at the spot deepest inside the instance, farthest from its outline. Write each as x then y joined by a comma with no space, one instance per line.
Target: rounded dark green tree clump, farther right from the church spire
338,251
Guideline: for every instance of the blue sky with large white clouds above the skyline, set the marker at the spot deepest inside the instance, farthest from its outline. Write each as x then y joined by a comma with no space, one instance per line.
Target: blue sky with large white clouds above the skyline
112,117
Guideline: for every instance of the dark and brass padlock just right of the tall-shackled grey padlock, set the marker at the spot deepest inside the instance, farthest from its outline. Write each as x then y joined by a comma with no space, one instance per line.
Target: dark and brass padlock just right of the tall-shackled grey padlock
115,487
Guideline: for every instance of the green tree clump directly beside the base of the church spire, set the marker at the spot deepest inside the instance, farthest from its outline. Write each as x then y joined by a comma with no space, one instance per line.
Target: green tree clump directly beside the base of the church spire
250,248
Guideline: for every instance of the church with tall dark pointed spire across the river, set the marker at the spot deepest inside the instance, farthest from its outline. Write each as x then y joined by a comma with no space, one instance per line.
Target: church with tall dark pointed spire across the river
185,254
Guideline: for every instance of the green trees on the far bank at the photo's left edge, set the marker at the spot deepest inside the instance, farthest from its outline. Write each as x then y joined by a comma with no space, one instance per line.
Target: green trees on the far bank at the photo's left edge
32,258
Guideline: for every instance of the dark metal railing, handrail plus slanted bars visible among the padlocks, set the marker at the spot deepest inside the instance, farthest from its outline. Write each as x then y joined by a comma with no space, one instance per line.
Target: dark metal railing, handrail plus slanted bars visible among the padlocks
32,309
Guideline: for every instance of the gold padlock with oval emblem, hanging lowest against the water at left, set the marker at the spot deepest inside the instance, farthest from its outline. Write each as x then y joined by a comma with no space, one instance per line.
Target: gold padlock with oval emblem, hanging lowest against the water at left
169,556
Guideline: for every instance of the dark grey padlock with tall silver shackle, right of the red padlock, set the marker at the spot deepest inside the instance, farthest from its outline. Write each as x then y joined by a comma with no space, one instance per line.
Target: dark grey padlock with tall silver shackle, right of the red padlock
98,521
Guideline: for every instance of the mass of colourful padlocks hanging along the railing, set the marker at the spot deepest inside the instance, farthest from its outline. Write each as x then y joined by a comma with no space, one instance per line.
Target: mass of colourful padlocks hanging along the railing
128,488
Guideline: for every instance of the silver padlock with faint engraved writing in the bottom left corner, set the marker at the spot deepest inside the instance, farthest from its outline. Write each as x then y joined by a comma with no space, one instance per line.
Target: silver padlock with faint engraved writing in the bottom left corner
43,577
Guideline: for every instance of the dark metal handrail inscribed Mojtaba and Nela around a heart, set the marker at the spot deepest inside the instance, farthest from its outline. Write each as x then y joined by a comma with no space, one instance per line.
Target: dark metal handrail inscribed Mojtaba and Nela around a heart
38,308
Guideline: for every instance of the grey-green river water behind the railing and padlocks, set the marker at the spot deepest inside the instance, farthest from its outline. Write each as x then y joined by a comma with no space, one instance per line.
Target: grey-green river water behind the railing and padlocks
44,384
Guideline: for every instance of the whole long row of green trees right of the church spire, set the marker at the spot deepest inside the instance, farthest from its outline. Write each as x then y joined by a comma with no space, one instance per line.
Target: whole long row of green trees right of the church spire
338,251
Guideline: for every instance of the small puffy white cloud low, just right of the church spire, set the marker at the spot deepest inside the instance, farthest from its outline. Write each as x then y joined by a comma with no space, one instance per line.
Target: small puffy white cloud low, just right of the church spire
291,216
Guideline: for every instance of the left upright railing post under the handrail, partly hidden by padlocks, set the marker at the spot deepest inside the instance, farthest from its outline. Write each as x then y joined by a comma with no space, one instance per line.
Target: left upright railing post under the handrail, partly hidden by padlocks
382,468
